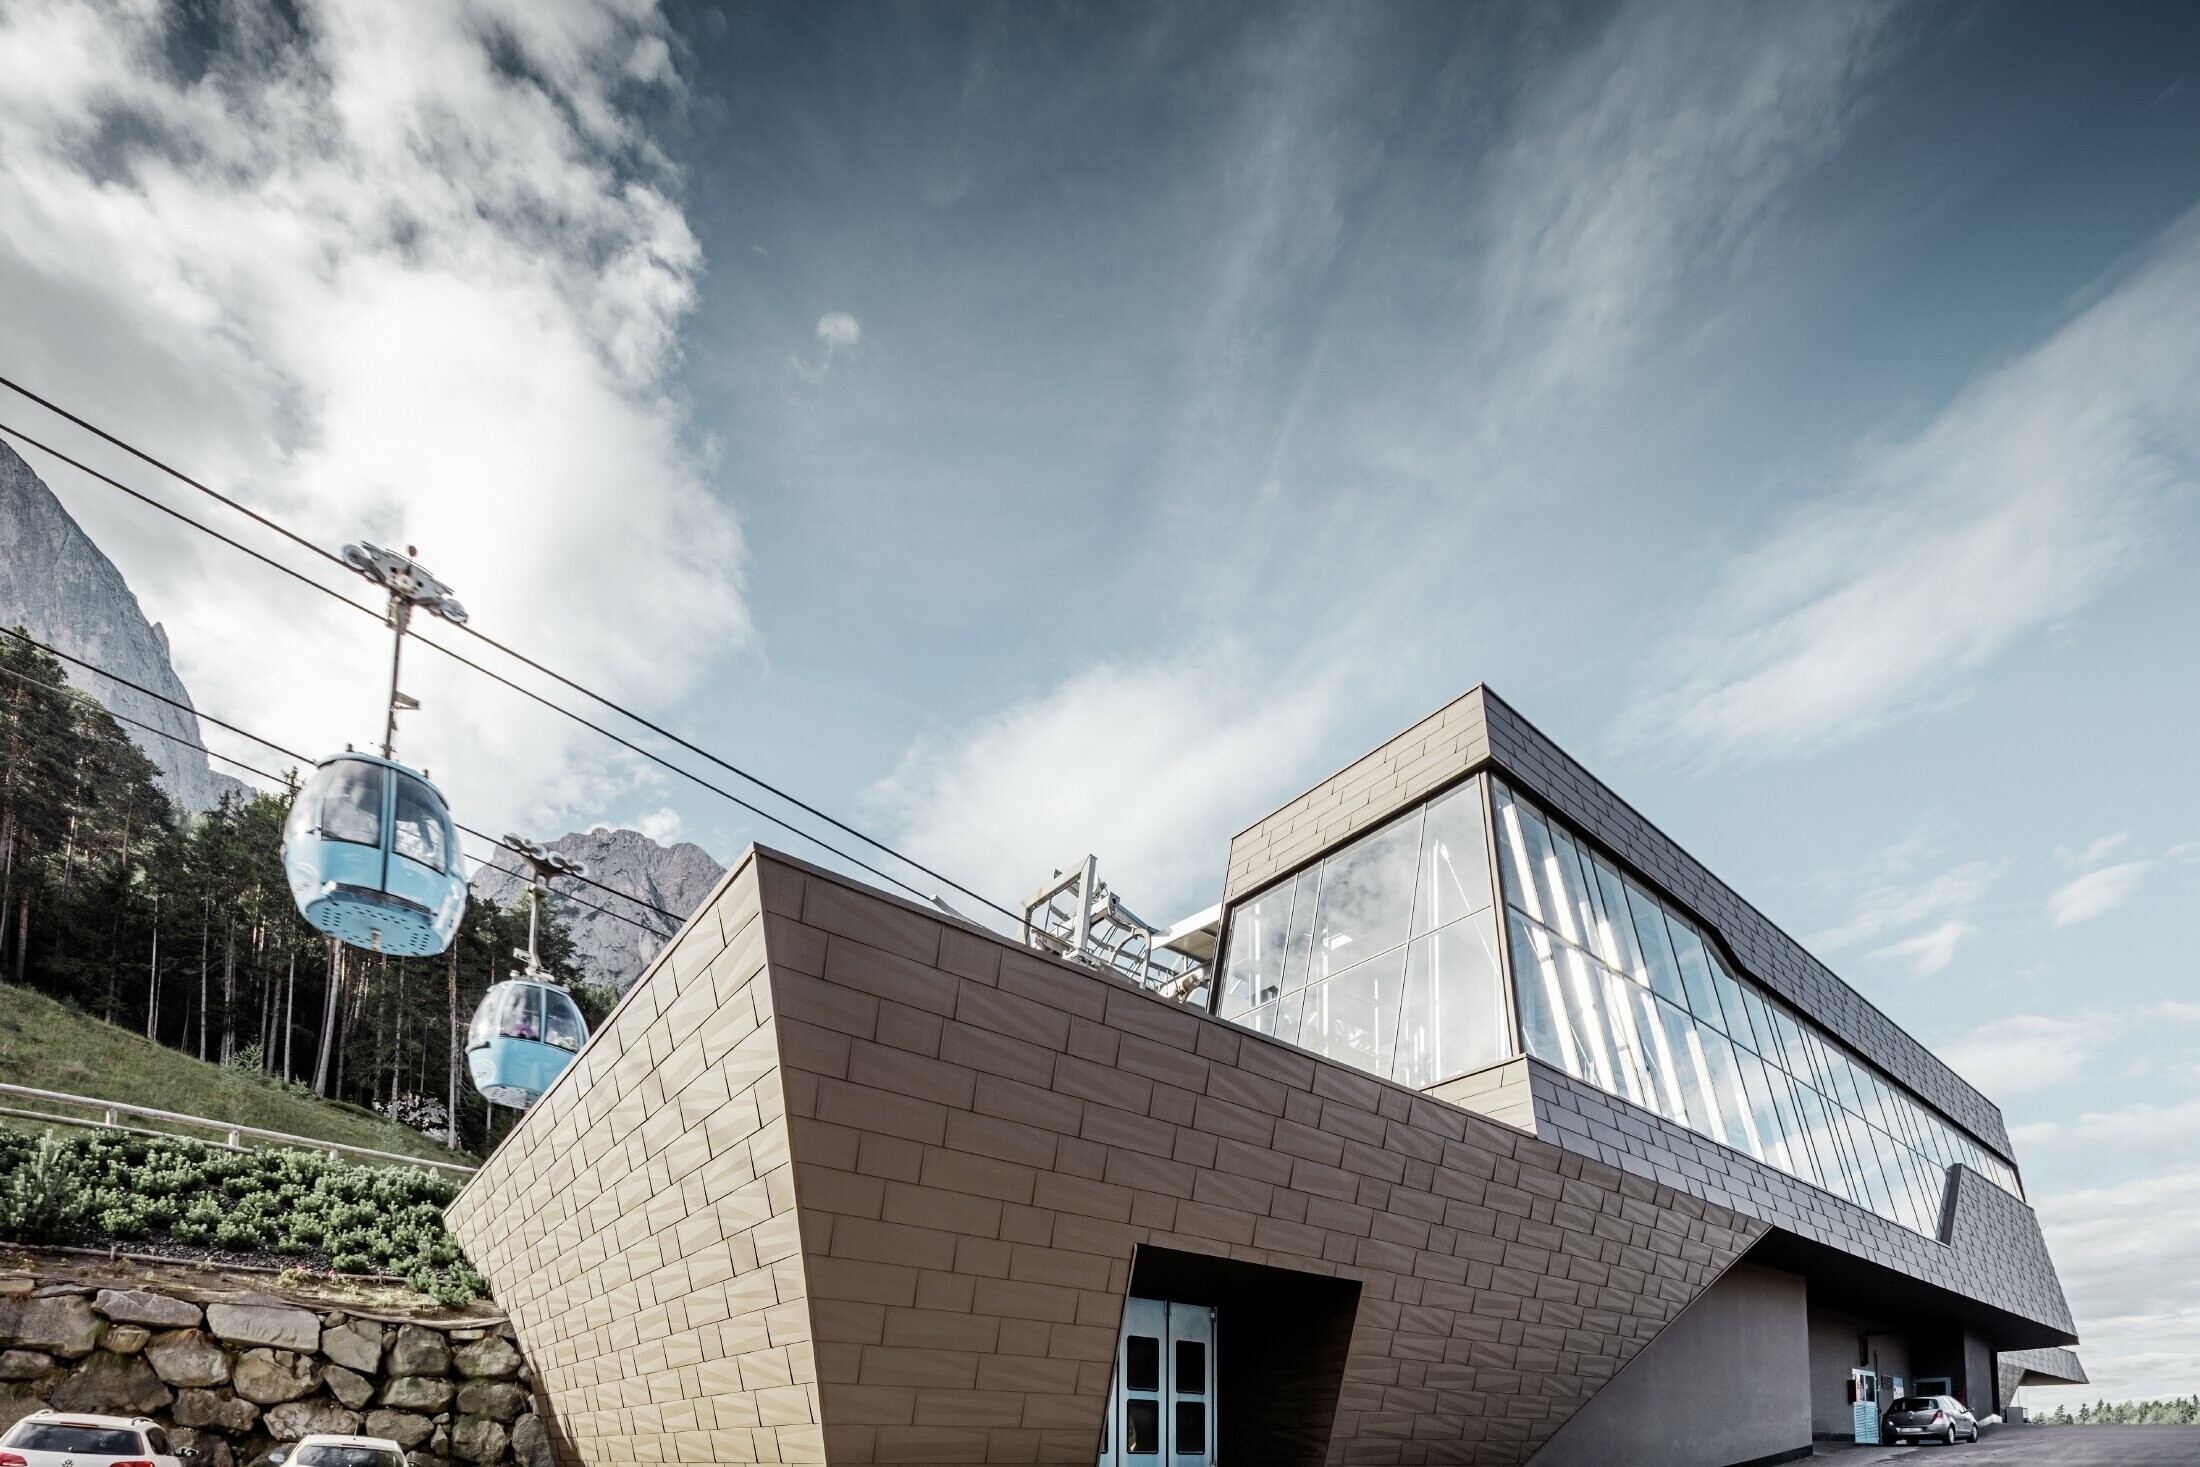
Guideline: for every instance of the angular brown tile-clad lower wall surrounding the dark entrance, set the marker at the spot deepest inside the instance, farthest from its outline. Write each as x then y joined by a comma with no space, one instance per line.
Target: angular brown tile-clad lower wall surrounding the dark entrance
912,1239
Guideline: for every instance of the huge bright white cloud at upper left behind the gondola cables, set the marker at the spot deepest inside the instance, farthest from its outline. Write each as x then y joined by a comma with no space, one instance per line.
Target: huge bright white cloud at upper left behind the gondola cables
397,274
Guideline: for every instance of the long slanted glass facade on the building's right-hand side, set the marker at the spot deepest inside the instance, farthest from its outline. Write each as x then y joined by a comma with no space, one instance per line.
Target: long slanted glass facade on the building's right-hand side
1625,993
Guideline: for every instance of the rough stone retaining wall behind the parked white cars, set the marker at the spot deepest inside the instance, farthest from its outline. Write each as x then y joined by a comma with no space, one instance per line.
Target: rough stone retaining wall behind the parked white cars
239,1374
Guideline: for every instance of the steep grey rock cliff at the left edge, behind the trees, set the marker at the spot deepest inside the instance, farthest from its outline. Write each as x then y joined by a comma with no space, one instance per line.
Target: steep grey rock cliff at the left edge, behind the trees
60,588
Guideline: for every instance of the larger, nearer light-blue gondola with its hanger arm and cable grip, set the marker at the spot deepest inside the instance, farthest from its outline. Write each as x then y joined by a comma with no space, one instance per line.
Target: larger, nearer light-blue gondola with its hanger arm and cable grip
368,848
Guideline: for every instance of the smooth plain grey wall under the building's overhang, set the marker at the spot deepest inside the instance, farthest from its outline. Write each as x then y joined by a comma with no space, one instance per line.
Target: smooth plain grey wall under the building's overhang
1728,1382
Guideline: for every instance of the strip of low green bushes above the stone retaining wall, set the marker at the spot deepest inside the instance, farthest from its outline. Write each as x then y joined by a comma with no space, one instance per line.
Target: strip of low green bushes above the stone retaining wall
362,1220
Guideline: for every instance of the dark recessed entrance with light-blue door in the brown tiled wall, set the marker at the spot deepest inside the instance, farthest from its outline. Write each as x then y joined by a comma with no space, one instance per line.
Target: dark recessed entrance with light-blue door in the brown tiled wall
1226,1360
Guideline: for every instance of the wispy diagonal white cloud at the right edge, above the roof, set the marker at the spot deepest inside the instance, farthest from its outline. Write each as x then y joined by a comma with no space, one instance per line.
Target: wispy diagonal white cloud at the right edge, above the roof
2032,496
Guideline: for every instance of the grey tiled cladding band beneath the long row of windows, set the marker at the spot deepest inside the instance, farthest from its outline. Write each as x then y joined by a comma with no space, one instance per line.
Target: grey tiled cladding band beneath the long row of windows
1992,1253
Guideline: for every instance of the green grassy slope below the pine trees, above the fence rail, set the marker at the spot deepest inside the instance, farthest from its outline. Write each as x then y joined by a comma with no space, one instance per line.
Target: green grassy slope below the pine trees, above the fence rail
56,1048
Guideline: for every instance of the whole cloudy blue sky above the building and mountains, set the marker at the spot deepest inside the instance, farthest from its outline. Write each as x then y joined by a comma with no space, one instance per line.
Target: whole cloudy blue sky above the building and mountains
1031,430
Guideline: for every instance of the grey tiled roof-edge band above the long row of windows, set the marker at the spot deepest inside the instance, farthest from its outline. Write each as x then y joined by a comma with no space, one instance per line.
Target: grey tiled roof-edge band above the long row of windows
1763,949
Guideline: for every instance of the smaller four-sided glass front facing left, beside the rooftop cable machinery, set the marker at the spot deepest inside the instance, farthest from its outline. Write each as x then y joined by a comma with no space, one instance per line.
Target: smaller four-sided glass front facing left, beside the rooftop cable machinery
1385,956
